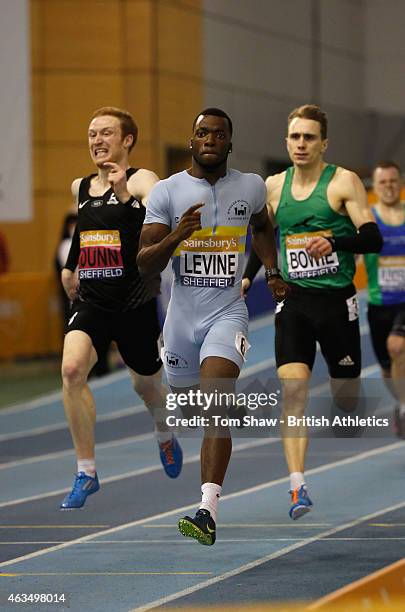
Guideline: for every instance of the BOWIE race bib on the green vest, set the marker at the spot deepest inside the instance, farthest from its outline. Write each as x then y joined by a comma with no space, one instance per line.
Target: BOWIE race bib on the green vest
302,265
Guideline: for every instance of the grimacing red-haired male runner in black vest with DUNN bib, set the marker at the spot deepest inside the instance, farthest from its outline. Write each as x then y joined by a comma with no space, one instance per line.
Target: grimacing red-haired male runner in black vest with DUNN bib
111,301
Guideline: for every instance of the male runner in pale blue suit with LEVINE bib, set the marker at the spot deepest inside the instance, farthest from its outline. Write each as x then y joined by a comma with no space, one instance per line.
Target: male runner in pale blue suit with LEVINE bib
199,217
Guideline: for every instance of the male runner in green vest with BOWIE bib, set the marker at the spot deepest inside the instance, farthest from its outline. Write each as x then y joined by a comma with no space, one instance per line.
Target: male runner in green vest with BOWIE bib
323,216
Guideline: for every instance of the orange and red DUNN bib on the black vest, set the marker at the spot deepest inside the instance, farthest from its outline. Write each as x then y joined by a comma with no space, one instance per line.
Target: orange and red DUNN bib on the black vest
100,255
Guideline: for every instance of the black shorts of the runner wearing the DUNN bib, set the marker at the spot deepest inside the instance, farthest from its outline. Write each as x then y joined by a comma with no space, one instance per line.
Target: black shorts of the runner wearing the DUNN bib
136,333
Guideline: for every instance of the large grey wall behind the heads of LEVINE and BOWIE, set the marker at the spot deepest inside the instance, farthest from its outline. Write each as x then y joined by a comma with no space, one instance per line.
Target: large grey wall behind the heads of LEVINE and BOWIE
264,57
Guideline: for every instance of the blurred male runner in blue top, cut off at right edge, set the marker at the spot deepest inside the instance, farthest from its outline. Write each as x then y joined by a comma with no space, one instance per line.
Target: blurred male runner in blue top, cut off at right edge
386,285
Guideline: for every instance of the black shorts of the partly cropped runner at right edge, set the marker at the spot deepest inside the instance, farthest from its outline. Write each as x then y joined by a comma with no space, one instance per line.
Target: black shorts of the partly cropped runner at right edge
384,320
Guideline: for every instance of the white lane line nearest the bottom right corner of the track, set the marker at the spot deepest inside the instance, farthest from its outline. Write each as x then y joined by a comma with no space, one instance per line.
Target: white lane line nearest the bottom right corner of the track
248,566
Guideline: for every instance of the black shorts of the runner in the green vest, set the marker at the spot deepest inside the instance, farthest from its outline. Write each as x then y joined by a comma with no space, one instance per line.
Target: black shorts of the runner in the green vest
330,317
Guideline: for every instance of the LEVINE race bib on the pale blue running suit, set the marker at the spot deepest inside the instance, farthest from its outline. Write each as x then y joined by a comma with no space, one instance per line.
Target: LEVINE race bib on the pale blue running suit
210,261
